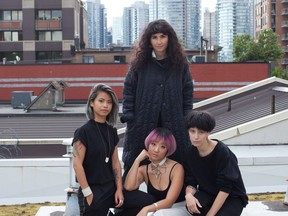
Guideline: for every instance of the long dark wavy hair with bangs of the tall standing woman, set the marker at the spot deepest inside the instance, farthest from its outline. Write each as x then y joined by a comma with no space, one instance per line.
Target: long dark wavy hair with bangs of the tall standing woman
142,52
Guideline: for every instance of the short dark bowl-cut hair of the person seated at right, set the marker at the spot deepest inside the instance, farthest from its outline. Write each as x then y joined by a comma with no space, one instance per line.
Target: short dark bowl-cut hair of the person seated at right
202,120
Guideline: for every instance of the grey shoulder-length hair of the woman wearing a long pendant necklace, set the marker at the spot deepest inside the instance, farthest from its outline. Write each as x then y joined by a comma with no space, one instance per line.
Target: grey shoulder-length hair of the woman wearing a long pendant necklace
113,115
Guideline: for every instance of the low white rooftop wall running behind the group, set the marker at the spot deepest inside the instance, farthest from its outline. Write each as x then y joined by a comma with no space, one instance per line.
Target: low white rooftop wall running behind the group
45,179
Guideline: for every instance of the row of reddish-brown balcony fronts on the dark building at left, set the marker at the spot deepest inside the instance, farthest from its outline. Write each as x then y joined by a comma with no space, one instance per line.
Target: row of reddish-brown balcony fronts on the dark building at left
39,25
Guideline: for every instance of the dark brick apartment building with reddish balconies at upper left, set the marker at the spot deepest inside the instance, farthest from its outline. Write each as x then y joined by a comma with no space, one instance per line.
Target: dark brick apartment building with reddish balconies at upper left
37,31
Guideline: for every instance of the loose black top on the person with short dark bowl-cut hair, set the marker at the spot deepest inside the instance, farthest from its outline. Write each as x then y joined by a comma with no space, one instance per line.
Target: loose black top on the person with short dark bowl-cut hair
215,172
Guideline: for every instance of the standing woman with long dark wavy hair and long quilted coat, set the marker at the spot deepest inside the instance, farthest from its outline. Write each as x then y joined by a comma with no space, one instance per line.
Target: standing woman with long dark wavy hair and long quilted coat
158,91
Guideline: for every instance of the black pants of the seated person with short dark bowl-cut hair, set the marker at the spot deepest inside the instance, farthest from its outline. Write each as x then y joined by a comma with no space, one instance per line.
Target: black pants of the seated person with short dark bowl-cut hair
233,205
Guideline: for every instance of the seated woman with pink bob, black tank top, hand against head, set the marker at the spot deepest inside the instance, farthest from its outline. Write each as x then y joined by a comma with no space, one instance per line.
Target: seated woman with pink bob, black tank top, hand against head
163,177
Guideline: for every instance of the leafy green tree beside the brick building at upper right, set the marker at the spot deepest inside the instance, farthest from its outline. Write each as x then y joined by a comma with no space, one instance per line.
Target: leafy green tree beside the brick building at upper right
266,48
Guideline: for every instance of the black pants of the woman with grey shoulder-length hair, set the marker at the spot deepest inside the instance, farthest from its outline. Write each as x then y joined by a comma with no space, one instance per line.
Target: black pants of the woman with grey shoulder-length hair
103,199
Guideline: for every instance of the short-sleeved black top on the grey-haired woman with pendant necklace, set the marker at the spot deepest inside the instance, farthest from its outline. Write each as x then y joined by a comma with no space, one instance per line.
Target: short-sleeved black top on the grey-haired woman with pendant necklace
95,138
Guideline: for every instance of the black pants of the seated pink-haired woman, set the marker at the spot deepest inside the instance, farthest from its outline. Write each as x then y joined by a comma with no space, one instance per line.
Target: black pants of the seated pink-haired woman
134,201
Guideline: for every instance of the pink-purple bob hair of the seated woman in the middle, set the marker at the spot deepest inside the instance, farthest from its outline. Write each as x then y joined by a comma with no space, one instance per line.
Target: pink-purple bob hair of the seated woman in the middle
159,134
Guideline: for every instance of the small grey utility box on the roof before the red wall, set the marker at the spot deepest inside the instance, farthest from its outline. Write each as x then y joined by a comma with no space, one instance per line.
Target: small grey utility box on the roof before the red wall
21,99
